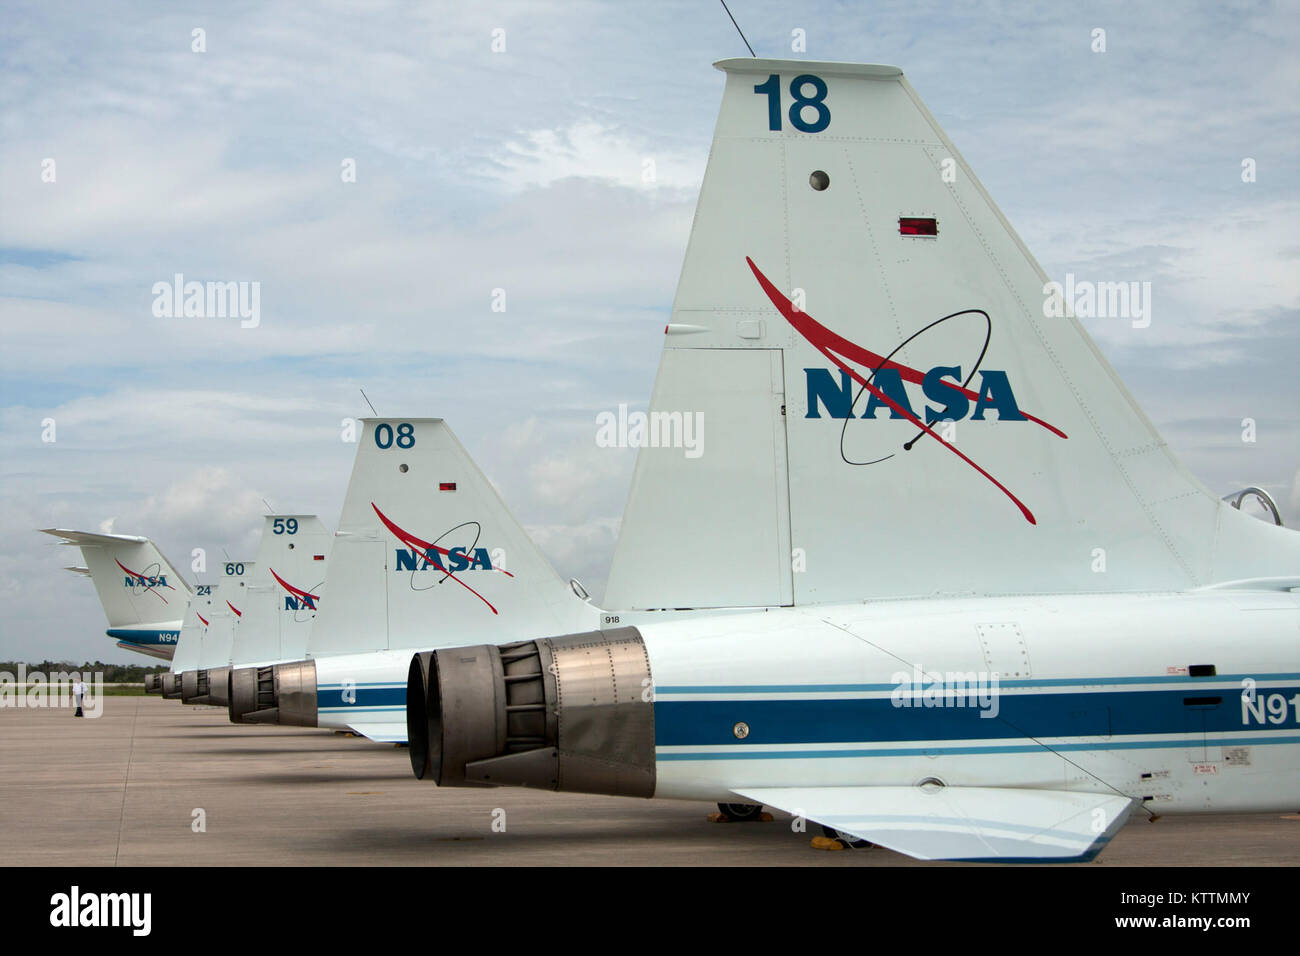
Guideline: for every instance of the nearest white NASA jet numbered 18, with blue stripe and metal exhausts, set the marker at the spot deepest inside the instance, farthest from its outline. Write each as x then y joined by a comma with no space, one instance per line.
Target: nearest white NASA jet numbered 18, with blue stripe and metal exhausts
990,613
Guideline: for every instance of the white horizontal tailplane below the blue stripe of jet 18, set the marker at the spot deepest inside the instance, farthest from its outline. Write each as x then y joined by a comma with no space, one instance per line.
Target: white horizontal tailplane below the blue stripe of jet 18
973,824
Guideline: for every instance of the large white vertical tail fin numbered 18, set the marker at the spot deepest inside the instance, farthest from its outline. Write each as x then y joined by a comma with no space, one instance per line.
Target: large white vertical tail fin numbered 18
942,431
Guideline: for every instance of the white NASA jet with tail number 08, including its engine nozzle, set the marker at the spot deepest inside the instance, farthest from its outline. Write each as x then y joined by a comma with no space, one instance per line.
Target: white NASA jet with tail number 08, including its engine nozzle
426,555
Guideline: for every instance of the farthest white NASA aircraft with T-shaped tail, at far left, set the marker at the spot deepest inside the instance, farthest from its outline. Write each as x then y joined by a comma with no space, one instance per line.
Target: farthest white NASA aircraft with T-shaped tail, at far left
144,596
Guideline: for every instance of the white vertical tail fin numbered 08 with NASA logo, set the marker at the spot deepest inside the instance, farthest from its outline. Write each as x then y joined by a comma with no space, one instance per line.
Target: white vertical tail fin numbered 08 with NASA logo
427,553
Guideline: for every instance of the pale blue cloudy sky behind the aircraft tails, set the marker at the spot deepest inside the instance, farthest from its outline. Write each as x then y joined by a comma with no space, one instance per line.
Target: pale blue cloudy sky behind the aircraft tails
523,171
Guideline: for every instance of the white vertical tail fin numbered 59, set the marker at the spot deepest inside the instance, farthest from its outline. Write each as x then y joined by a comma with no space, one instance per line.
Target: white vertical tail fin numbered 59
284,592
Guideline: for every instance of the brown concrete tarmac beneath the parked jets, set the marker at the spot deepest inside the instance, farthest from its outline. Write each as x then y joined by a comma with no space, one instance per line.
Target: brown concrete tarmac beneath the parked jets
128,788
